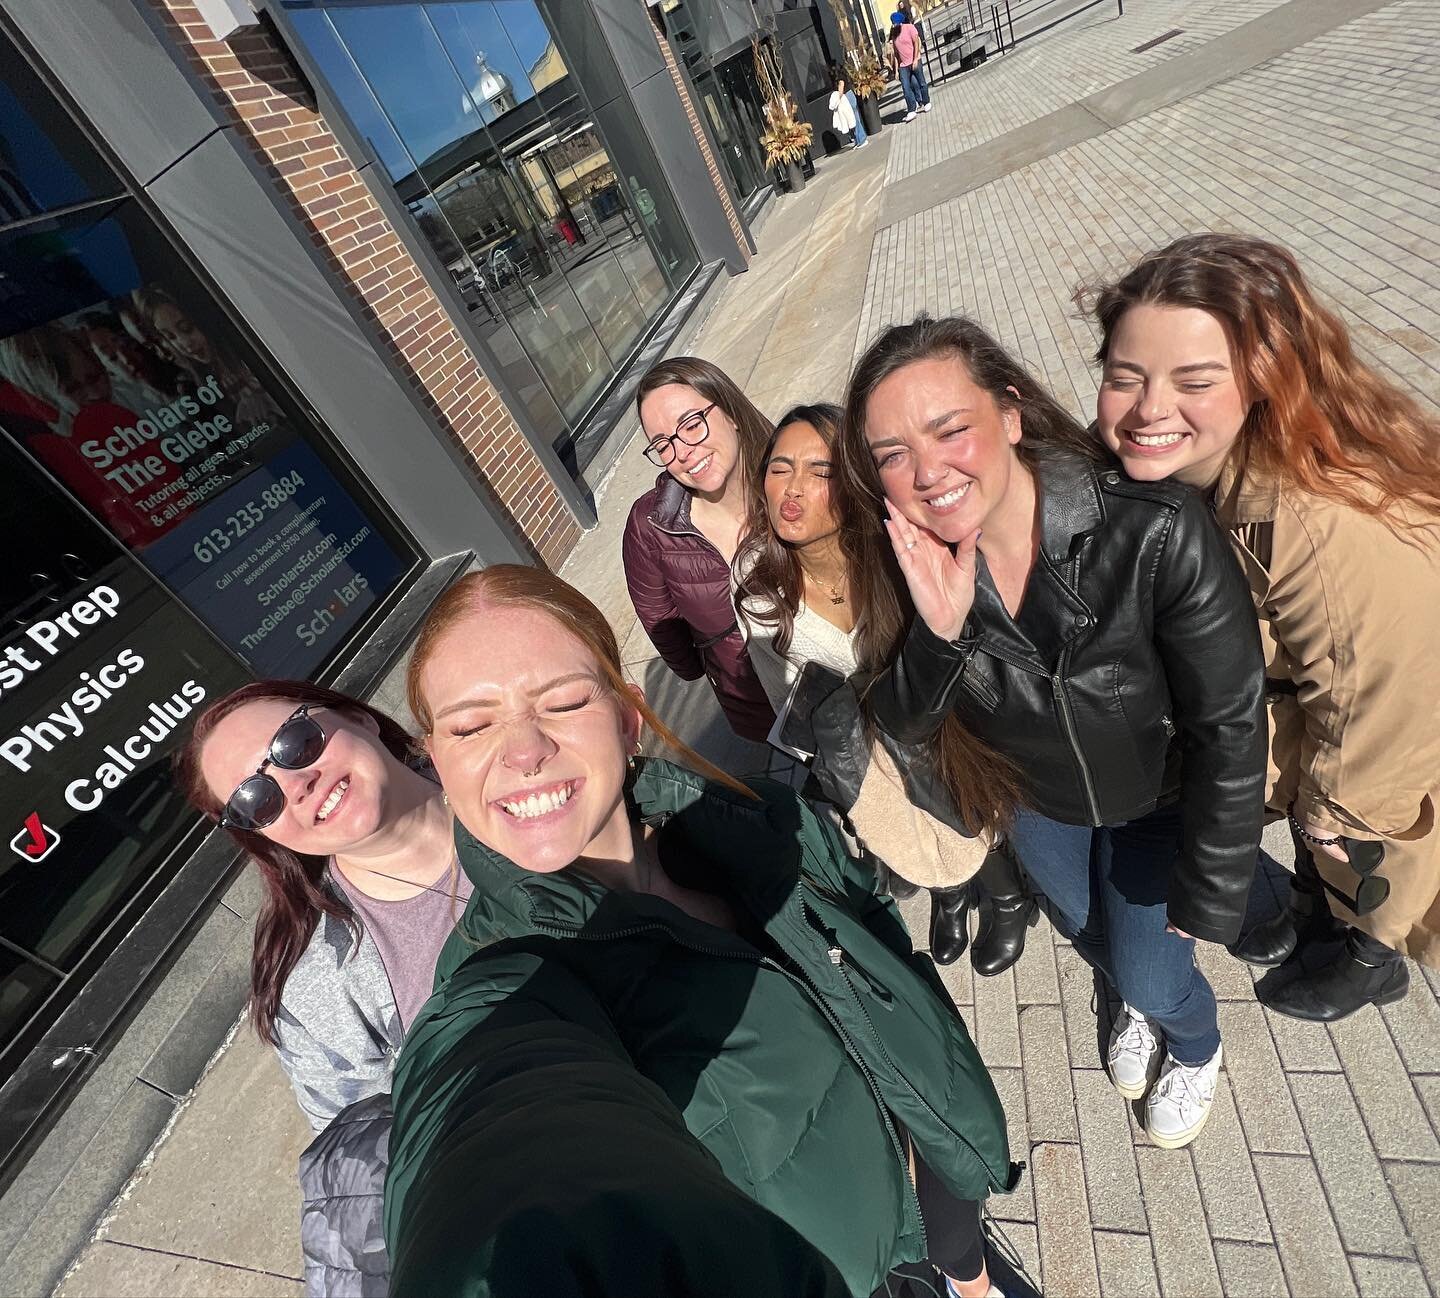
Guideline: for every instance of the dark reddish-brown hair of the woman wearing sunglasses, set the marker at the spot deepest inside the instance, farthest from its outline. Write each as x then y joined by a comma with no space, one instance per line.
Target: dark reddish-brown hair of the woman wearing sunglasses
296,895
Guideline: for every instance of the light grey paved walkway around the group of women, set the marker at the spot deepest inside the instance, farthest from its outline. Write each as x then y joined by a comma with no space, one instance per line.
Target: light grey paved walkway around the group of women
1321,1171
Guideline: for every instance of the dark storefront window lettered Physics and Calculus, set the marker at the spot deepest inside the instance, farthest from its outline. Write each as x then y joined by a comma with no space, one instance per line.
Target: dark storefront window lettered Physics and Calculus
175,525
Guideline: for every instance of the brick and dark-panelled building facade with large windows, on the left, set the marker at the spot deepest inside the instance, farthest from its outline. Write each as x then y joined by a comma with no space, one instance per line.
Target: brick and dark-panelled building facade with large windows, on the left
306,308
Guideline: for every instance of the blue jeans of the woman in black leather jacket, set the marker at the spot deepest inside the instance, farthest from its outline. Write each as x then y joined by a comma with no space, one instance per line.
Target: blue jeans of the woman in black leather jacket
1110,888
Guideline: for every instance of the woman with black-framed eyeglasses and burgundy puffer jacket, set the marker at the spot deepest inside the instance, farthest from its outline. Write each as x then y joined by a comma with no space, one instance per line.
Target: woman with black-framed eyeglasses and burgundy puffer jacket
705,436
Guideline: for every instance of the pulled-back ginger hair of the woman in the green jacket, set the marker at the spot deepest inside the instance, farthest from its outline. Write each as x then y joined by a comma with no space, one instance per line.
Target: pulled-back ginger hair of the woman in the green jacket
516,586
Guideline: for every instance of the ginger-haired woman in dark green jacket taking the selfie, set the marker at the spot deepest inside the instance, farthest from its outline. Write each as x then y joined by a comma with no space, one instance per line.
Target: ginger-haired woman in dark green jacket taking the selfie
719,930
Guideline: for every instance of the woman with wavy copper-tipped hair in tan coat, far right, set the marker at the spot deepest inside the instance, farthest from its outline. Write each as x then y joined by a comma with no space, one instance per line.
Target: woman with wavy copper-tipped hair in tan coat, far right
1223,371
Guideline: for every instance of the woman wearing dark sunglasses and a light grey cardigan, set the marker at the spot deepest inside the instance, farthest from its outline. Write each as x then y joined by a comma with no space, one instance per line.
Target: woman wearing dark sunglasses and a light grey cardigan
356,852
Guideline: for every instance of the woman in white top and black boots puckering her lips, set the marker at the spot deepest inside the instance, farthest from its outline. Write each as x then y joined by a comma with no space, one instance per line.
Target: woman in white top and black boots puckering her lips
793,594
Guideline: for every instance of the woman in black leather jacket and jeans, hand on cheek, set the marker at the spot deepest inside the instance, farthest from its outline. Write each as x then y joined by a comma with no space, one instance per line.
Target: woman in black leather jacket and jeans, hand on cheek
1098,635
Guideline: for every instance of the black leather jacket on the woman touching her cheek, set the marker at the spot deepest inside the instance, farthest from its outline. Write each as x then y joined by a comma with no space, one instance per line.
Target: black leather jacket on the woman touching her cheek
1131,676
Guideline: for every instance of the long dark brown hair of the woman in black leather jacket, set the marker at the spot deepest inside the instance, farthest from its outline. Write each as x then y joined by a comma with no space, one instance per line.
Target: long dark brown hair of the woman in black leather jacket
984,786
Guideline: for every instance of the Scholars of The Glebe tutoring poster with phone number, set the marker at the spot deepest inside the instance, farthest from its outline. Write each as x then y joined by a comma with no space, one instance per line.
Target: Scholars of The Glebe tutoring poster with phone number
172,440
